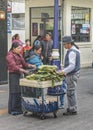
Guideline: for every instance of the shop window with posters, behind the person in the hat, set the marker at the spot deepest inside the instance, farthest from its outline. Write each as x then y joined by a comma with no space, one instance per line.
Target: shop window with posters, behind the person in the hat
80,24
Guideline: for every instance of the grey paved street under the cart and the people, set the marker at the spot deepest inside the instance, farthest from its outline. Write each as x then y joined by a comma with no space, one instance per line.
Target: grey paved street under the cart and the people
82,121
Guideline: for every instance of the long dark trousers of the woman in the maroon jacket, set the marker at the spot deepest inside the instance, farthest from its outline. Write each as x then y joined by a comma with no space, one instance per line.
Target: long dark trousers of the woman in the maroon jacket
14,103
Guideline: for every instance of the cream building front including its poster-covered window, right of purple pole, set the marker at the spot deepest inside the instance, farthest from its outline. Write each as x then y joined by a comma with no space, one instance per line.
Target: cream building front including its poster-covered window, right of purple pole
78,17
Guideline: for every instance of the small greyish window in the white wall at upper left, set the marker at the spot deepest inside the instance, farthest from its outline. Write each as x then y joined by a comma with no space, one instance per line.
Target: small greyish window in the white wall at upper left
18,21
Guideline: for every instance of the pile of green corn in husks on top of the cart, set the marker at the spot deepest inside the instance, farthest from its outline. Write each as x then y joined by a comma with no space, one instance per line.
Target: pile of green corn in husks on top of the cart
46,72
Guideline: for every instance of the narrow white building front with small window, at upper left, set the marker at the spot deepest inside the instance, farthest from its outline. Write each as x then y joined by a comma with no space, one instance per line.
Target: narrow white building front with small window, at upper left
18,18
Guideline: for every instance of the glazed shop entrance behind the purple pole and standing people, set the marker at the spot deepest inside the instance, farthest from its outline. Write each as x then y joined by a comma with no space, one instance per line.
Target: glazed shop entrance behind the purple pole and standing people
41,21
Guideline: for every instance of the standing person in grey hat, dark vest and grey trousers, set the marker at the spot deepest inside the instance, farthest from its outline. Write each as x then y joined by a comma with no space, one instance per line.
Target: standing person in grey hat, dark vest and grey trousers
71,70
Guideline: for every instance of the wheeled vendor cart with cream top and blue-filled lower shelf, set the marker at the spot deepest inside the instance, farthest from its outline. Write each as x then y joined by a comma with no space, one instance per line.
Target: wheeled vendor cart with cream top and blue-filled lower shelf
39,106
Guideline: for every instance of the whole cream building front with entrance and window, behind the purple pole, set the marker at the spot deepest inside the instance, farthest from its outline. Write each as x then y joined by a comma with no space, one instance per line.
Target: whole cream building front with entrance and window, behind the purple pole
75,18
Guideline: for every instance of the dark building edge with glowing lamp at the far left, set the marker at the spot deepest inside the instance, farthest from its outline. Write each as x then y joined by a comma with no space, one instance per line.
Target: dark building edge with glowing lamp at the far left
3,41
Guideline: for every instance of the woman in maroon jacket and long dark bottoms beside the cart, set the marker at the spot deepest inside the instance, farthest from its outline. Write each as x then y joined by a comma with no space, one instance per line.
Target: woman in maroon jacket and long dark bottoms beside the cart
16,65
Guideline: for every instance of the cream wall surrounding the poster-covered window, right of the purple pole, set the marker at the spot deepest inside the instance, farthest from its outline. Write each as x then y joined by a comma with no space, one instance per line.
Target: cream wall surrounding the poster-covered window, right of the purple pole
85,47
